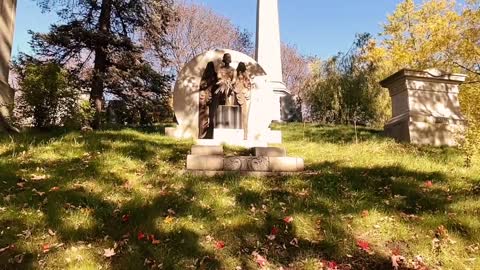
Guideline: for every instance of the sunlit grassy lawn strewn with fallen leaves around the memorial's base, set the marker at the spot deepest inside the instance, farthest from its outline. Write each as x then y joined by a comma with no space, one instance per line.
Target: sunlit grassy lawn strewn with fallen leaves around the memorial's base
118,199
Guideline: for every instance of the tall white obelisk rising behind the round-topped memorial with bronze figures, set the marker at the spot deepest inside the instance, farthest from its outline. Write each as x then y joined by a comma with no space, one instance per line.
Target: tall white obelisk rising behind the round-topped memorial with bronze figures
268,50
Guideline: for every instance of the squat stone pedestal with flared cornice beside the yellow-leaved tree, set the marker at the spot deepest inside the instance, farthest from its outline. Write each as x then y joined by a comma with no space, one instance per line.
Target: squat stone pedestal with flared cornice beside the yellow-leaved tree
425,107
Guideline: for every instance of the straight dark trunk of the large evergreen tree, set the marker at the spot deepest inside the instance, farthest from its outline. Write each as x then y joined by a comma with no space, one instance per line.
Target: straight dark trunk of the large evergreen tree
100,65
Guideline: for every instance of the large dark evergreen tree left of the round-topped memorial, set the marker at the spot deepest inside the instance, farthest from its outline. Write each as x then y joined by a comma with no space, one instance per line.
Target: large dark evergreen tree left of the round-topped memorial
103,42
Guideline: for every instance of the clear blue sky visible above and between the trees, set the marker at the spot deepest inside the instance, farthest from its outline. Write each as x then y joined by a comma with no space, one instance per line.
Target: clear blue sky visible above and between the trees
317,27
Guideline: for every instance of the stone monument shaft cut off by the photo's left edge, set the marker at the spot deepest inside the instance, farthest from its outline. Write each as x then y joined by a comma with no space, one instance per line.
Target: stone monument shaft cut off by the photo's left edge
7,23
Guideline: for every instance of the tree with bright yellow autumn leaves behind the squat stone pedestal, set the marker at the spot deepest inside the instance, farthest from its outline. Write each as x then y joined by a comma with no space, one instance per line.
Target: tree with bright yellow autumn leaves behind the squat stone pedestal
442,34
